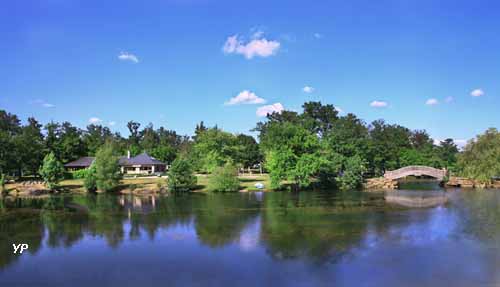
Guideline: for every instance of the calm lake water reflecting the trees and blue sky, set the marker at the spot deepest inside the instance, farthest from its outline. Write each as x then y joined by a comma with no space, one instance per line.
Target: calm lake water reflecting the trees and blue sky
252,239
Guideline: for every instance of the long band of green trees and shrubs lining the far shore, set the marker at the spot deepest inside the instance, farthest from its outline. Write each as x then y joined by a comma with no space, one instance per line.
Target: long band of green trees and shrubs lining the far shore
314,147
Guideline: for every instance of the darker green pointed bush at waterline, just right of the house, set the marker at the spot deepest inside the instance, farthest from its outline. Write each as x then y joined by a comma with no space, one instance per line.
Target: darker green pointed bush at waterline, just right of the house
180,176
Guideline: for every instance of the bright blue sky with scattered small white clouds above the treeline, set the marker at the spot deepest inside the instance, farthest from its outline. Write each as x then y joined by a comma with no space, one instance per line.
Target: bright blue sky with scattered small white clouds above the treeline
431,65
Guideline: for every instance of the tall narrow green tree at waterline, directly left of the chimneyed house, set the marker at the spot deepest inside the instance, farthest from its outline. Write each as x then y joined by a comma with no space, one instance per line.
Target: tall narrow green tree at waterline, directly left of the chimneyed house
107,170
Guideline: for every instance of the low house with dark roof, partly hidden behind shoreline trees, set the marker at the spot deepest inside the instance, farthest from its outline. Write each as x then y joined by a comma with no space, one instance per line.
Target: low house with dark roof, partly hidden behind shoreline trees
141,164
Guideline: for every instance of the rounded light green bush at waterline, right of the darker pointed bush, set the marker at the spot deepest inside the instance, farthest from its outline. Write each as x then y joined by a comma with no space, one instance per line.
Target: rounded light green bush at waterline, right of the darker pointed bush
224,179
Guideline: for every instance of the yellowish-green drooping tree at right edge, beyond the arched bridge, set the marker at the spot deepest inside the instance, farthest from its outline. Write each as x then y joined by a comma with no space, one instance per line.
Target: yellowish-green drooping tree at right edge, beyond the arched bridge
480,159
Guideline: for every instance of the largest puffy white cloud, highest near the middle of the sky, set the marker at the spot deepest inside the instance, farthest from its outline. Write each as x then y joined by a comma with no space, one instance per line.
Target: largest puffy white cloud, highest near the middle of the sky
256,47
